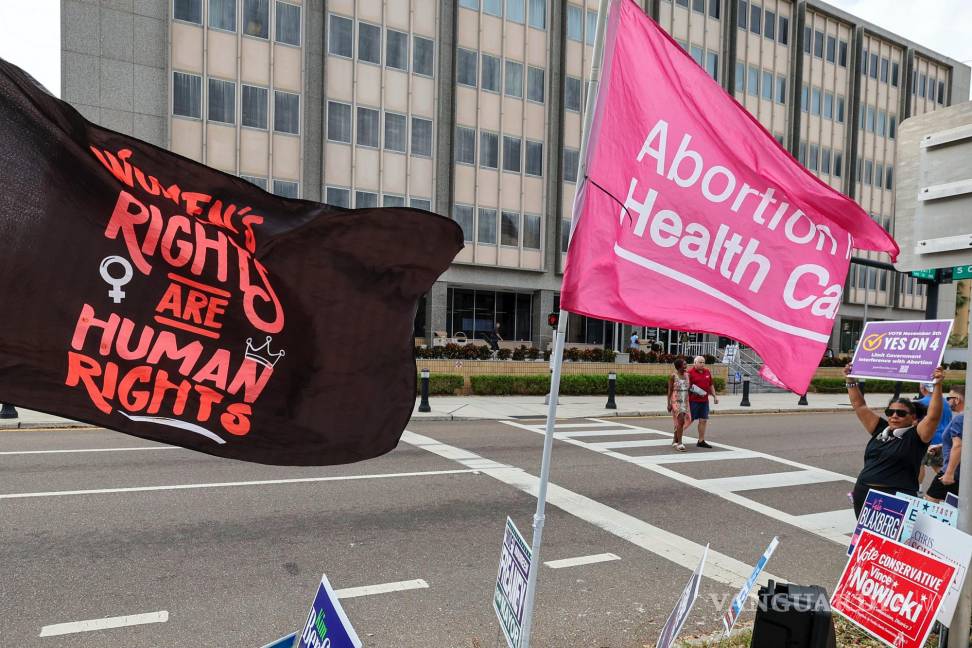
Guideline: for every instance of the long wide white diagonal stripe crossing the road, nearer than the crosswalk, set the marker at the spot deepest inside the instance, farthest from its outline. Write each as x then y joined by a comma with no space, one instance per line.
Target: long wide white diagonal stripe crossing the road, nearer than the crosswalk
672,547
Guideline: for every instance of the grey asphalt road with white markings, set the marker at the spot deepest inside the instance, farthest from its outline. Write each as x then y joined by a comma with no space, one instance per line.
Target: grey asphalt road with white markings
232,562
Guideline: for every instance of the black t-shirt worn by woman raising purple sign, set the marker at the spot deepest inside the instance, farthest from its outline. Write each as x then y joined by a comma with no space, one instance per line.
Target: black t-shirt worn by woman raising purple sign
894,462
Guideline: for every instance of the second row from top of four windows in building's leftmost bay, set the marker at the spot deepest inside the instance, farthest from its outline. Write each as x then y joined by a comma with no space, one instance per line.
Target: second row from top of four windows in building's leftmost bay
222,101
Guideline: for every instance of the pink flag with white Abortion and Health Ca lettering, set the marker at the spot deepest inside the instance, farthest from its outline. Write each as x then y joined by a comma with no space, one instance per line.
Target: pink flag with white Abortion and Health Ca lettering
693,217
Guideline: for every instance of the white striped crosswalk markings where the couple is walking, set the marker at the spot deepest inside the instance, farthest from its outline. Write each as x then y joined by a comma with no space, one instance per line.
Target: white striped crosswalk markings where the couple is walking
655,463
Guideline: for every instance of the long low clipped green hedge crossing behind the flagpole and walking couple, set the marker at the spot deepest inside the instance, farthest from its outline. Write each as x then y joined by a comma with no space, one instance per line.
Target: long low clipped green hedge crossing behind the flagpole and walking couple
572,385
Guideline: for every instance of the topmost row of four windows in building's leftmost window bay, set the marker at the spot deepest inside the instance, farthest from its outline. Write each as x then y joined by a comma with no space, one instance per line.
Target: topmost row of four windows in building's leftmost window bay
253,15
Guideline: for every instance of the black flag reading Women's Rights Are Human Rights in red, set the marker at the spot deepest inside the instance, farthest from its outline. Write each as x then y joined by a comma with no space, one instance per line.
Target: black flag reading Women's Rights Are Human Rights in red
150,294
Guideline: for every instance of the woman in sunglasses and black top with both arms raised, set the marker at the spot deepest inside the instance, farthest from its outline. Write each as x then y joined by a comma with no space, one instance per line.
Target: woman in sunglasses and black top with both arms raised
898,443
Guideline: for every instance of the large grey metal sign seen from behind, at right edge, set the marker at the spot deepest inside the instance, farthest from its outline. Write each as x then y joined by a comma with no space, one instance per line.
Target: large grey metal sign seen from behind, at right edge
933,189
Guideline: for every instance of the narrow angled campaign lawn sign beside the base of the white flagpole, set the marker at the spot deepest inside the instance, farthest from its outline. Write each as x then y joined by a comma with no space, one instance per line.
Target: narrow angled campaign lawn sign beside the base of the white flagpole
509,597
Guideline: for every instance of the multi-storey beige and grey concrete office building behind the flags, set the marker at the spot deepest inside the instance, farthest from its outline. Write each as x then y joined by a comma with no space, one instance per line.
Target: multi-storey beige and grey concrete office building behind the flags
474,108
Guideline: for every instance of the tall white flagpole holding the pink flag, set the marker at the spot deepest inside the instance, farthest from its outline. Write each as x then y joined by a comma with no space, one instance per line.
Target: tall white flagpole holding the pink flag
558,350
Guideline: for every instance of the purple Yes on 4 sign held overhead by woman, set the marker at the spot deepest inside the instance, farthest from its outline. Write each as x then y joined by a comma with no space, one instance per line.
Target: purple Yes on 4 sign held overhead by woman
907,350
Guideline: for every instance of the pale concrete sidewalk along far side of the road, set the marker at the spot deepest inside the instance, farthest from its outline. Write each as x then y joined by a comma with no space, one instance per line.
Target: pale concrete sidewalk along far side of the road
472,408
